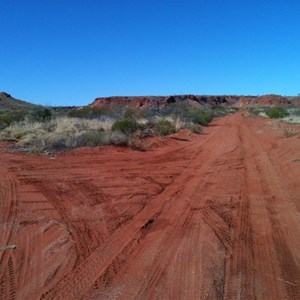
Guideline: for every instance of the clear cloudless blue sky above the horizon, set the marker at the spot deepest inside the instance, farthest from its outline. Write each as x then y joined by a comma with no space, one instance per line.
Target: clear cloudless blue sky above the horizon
64,52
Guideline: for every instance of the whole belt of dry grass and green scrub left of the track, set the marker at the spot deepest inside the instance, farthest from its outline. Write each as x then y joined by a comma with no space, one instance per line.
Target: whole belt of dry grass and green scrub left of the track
57,129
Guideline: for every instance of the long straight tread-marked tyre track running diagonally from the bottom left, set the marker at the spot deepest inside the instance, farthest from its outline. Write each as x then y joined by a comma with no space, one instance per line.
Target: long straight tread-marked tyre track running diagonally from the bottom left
83,277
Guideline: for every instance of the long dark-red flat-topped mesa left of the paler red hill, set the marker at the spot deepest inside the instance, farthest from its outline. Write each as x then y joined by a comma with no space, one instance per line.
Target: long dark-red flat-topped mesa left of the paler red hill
162,101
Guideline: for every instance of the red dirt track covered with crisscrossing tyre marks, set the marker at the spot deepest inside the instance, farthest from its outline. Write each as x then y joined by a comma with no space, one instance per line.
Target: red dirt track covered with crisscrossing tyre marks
208,217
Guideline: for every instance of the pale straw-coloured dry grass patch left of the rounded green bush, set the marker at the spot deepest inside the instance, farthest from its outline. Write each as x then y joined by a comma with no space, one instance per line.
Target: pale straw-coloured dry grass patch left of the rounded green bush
61,134
